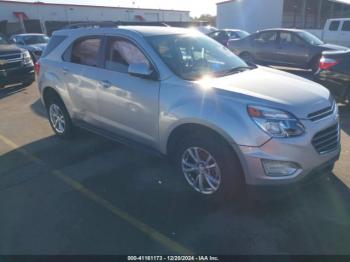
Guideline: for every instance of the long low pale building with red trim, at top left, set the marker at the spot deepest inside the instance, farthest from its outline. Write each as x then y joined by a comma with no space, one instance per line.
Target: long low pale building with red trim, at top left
17,14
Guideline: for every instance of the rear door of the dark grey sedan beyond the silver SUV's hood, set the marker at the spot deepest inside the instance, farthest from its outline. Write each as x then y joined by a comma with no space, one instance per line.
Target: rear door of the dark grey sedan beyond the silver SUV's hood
264,46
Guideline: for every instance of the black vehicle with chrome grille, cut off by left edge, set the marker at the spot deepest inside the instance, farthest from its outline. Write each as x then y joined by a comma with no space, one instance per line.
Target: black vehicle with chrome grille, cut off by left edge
16,65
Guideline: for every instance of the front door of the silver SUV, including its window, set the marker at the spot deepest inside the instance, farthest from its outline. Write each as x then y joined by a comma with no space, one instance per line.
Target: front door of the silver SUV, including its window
128,105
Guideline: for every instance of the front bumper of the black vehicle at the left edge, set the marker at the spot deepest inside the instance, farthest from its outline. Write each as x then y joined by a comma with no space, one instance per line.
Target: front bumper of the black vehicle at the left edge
17,75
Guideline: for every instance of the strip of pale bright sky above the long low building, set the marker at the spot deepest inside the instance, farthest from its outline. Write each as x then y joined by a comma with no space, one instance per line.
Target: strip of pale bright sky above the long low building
197,7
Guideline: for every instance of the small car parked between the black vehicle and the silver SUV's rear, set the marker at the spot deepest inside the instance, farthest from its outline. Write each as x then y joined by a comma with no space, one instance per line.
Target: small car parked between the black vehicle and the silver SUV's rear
34,43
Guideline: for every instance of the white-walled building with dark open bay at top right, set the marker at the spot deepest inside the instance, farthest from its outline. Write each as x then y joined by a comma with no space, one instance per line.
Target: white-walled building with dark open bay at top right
253,15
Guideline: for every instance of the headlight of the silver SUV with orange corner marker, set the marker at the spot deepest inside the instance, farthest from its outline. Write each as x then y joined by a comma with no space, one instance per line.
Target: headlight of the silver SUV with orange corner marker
276,123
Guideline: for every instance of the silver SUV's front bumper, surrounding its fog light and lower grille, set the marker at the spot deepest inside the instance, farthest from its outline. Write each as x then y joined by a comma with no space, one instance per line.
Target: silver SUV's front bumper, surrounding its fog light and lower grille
298,150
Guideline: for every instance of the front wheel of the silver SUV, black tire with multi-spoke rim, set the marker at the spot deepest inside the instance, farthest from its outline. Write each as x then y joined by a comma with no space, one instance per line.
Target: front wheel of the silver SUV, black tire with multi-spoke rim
220,178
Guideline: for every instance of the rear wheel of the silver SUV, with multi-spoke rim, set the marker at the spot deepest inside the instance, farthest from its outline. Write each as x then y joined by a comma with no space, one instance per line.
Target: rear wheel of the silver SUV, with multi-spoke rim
59,118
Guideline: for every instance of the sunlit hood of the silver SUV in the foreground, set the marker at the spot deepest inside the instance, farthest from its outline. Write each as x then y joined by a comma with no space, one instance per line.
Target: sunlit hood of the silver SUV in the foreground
274,88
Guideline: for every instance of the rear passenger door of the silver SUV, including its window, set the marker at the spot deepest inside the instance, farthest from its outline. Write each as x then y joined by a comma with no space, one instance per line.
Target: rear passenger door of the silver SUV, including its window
81,59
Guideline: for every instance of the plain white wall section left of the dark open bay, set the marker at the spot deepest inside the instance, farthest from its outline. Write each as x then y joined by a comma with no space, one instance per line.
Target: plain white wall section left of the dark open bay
250,15
